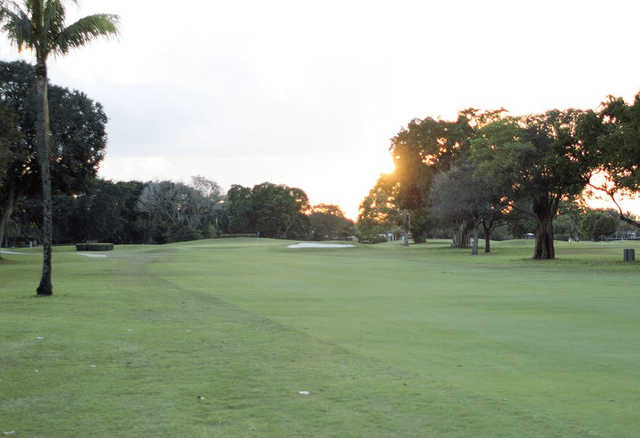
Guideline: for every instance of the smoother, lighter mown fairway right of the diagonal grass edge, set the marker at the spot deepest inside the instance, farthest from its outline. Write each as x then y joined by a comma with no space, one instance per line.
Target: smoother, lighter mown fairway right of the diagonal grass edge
558,341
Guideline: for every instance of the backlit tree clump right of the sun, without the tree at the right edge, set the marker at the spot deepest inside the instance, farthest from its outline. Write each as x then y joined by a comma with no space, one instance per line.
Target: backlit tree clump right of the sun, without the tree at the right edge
482,168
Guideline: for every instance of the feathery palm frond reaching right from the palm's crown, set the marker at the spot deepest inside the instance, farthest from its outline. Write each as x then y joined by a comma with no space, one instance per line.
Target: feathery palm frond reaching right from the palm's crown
84,30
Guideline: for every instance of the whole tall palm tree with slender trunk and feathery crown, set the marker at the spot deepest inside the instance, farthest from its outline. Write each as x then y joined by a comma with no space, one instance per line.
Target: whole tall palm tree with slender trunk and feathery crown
39,25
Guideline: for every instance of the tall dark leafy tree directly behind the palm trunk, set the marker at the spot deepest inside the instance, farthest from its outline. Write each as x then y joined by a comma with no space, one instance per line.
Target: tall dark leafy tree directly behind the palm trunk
79,137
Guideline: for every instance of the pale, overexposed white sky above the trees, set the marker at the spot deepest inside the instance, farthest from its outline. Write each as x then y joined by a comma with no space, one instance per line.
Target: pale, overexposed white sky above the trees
309,94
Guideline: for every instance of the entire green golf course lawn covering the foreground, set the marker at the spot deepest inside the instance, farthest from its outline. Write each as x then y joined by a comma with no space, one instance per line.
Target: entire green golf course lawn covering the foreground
216,338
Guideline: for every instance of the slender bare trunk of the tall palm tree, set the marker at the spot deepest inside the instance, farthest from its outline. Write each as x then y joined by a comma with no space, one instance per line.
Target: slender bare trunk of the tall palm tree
44,139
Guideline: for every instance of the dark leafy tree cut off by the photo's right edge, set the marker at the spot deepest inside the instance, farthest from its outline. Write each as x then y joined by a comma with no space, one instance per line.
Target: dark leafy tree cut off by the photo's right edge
611,137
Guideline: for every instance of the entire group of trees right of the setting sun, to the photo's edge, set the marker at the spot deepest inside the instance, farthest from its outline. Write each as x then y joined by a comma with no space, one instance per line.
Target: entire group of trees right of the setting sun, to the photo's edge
487,168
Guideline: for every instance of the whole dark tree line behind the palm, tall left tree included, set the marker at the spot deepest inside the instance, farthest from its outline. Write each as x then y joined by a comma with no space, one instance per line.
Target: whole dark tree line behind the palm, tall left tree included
85,208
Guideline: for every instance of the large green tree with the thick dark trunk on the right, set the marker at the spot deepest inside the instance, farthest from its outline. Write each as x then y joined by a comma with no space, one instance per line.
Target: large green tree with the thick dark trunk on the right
537,161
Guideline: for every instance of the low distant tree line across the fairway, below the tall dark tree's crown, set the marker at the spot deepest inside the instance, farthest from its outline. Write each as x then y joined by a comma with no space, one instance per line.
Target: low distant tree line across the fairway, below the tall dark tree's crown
166,211
